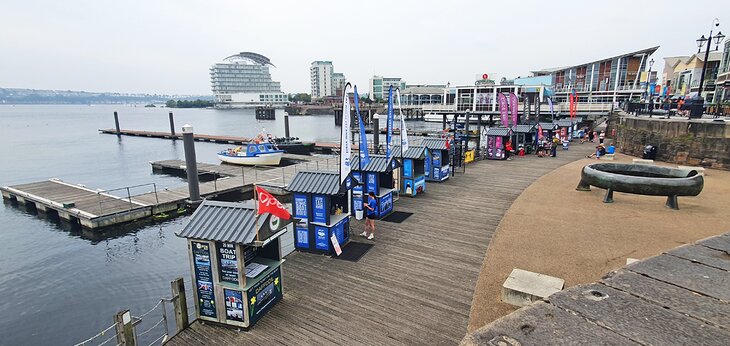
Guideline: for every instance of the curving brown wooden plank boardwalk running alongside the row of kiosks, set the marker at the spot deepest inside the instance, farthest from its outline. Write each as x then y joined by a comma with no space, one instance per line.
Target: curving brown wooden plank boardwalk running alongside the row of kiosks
414,287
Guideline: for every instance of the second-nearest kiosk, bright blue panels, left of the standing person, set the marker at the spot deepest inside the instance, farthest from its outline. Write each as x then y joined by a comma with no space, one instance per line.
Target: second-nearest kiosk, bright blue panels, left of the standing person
322,207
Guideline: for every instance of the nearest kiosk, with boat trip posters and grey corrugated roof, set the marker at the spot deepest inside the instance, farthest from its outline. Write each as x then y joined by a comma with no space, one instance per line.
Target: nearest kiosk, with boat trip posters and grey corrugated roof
235,258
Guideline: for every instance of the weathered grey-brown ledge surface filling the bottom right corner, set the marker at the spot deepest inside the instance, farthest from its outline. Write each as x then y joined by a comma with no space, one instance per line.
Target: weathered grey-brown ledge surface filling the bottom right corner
677,298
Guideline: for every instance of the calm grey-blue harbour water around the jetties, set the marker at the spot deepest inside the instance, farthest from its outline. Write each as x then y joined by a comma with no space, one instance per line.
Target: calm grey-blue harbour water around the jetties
59,285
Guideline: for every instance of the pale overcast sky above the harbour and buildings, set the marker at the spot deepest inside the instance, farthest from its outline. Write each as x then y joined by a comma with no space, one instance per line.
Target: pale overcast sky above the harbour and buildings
167,47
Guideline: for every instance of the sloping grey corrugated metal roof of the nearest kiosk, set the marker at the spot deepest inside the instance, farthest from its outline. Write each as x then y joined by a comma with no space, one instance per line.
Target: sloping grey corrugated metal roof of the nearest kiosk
222,221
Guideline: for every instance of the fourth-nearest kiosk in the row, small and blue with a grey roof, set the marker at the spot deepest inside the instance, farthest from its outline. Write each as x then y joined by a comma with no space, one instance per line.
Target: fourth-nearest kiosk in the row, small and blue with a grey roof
413,169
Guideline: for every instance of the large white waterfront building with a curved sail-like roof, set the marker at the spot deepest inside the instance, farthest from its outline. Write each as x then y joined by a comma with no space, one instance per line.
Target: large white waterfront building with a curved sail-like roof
243,81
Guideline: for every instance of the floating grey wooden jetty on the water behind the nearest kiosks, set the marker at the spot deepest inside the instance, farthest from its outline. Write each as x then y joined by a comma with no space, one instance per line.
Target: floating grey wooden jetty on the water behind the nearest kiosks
95,208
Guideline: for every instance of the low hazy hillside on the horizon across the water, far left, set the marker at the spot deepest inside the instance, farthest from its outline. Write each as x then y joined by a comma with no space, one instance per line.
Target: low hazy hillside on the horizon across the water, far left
35,96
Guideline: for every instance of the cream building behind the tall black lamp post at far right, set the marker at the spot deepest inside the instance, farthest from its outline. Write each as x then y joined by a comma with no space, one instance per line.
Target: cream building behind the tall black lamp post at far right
683,74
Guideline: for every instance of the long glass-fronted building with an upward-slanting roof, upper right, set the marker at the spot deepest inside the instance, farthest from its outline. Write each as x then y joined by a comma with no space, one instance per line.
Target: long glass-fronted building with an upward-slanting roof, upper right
608,80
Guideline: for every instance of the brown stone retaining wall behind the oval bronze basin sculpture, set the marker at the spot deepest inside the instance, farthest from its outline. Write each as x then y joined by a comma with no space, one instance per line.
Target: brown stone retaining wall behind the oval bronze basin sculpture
693,143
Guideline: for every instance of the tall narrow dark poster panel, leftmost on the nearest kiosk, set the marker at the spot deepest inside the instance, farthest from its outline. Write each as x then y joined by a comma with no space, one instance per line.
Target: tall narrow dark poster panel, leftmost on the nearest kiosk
203,279
